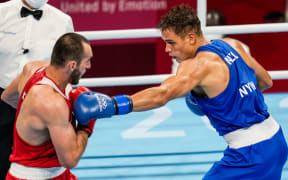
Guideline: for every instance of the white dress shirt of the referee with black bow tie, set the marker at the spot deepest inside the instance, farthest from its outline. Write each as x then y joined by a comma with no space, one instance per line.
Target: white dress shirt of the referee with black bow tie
17,34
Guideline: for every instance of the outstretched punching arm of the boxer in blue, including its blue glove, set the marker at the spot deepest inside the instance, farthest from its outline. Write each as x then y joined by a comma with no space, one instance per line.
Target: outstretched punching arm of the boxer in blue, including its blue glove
94,105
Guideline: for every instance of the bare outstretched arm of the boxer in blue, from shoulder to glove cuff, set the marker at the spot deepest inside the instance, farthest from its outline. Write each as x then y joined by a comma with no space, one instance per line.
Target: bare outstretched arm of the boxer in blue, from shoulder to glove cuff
189,75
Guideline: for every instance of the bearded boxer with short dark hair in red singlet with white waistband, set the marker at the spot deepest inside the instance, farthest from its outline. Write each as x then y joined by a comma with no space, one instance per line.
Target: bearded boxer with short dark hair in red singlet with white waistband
46,145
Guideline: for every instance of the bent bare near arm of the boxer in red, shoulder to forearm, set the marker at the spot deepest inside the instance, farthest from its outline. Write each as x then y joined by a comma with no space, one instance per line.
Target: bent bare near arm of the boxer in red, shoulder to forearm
52,109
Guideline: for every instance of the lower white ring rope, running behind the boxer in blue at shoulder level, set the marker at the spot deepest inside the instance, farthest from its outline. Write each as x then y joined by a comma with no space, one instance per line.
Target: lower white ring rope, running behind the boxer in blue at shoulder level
147,80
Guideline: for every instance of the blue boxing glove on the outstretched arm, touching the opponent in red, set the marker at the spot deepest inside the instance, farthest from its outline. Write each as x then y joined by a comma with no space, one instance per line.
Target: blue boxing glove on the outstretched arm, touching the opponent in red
94,105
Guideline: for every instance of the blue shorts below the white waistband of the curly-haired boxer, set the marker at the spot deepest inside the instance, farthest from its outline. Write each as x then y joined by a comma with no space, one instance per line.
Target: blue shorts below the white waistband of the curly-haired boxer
261,161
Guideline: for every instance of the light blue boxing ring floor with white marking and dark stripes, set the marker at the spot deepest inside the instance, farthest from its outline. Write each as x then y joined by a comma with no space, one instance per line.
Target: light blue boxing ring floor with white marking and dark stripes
168,143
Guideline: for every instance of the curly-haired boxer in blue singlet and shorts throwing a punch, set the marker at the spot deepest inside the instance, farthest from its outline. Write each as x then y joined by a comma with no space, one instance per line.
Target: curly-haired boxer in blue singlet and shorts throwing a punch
221,80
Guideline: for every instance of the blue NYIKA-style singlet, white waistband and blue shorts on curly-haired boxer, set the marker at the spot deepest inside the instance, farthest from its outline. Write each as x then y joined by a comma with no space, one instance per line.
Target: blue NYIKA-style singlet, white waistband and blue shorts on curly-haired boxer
257,148
